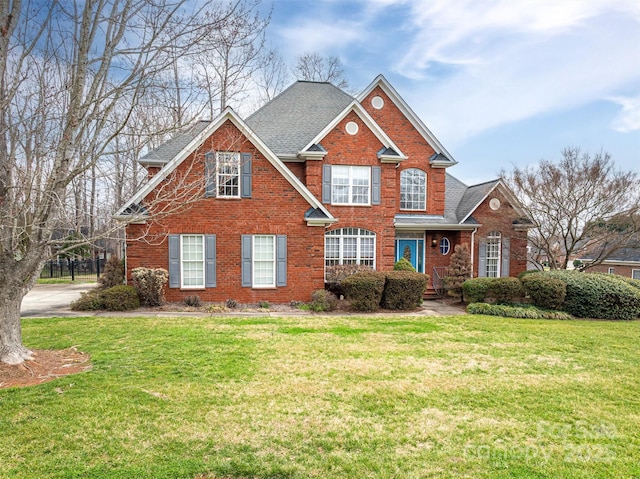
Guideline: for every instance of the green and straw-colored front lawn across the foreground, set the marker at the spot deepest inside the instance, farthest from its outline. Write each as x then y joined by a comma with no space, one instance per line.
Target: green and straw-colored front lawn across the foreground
330,397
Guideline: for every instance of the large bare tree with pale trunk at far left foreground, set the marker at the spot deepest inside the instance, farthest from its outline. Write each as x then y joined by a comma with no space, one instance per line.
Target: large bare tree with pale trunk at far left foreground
65,68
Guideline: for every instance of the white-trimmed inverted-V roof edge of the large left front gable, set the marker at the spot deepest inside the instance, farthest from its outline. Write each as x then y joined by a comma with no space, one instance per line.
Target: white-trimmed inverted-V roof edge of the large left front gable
132,206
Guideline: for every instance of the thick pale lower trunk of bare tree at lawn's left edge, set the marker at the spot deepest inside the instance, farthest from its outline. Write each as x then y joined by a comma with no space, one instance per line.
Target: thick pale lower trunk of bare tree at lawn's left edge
11,349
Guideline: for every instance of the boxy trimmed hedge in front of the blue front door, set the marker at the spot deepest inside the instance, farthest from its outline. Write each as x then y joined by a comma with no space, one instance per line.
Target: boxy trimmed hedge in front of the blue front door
404,289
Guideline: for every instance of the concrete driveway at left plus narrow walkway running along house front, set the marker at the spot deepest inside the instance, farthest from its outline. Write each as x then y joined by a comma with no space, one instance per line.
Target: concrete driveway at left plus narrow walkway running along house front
53,300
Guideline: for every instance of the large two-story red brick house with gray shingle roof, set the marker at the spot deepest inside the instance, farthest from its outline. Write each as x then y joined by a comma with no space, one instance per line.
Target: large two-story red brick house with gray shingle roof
314,179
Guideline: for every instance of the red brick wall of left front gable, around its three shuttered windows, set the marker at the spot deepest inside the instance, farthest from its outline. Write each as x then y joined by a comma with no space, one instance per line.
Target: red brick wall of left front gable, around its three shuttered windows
275,208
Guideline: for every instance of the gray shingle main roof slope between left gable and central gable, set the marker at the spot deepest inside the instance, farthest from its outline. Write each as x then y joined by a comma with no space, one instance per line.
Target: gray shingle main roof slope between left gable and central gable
292,119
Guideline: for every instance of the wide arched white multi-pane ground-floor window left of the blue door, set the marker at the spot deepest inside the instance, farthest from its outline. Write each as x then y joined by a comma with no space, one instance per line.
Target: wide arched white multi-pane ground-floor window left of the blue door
350,246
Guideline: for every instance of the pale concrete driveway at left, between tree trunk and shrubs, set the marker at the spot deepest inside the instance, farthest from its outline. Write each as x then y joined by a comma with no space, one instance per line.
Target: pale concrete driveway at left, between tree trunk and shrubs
46,300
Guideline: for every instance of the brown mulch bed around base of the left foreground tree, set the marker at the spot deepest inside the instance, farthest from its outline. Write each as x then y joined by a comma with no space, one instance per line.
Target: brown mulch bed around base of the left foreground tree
46,366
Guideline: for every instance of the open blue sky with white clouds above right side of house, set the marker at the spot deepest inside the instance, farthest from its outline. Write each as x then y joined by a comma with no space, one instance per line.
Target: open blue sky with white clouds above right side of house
500,83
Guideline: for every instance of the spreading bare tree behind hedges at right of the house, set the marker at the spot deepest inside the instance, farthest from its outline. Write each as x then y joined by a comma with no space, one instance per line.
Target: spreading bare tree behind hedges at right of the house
577,204
